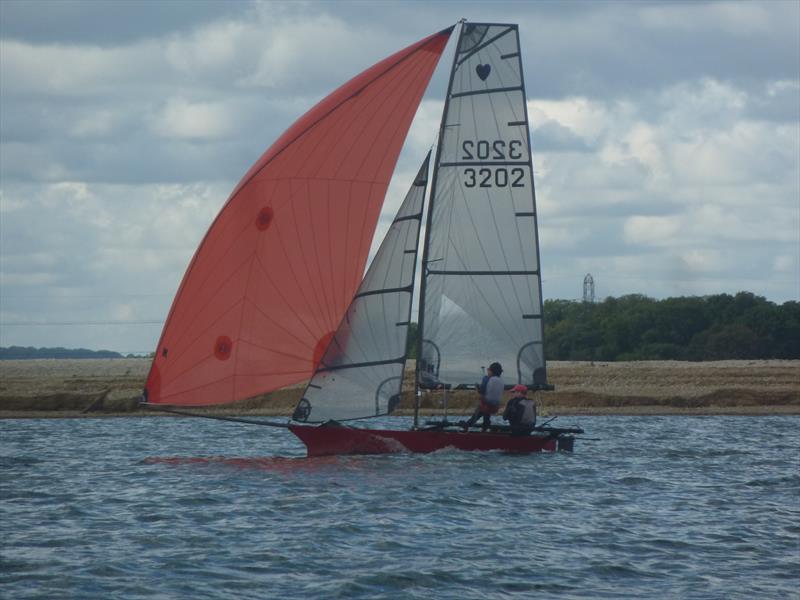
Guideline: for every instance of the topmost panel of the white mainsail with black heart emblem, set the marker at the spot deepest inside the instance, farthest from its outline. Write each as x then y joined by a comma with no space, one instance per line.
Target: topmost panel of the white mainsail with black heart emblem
499,51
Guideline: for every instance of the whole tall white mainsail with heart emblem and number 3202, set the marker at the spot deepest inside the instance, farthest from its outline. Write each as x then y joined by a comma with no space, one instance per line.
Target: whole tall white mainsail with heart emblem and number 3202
481,291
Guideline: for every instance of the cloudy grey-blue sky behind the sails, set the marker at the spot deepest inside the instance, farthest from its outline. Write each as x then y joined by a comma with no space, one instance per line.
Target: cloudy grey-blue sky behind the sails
666,141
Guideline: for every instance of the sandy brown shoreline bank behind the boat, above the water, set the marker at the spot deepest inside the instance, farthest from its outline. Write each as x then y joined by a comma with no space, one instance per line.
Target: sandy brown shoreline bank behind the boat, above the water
97,387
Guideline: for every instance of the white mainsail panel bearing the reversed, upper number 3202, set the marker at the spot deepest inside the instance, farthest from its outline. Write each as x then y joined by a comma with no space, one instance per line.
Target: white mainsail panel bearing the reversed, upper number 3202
478,131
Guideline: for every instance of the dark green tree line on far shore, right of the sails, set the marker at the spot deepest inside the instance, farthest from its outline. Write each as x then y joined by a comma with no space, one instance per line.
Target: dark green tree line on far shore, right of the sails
635,327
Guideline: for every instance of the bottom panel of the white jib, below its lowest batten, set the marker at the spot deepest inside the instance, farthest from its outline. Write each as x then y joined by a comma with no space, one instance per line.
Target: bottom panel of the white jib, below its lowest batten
353,393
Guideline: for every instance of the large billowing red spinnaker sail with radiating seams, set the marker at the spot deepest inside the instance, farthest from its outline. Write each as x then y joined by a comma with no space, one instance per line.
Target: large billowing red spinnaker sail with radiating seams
279,266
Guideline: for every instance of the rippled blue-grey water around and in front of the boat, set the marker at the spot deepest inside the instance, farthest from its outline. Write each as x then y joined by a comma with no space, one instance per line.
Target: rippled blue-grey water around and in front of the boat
651,507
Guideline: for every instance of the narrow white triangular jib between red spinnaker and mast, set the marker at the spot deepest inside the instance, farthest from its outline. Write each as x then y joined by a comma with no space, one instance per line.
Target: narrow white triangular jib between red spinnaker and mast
361,372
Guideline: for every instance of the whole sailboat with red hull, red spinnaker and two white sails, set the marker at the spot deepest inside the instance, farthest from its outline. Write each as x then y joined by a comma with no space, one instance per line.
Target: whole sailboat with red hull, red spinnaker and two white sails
274,295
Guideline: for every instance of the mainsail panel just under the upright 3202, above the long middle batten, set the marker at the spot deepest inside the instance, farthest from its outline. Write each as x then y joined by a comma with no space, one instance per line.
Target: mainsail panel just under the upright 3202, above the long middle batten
475,228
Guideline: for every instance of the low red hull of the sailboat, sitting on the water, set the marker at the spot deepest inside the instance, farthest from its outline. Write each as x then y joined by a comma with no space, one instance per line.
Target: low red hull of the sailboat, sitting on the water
324,441
